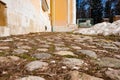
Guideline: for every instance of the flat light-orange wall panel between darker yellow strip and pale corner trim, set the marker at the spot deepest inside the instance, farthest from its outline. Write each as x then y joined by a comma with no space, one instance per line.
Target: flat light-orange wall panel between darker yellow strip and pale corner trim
61,12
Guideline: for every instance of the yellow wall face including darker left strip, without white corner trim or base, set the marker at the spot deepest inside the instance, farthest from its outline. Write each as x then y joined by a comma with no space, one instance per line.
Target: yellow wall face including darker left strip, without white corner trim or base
59,12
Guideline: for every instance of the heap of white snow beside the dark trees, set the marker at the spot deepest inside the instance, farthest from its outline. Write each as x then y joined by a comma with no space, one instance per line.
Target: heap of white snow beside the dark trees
104,28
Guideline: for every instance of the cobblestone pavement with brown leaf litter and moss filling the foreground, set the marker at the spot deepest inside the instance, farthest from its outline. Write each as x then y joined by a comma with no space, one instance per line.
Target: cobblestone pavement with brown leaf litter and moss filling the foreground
59,56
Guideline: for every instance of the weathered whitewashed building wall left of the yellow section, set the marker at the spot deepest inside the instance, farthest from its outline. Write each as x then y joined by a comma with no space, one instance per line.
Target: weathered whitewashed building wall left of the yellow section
24,17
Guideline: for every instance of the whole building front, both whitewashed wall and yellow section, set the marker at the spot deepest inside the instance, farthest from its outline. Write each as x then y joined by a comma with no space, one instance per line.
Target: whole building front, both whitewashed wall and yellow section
28,16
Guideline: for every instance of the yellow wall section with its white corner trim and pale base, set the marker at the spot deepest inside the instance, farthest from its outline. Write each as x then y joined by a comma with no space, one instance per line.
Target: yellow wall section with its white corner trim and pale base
63,15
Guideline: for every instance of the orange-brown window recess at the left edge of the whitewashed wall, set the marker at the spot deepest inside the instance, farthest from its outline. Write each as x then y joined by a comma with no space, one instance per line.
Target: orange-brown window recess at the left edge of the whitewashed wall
3,20
